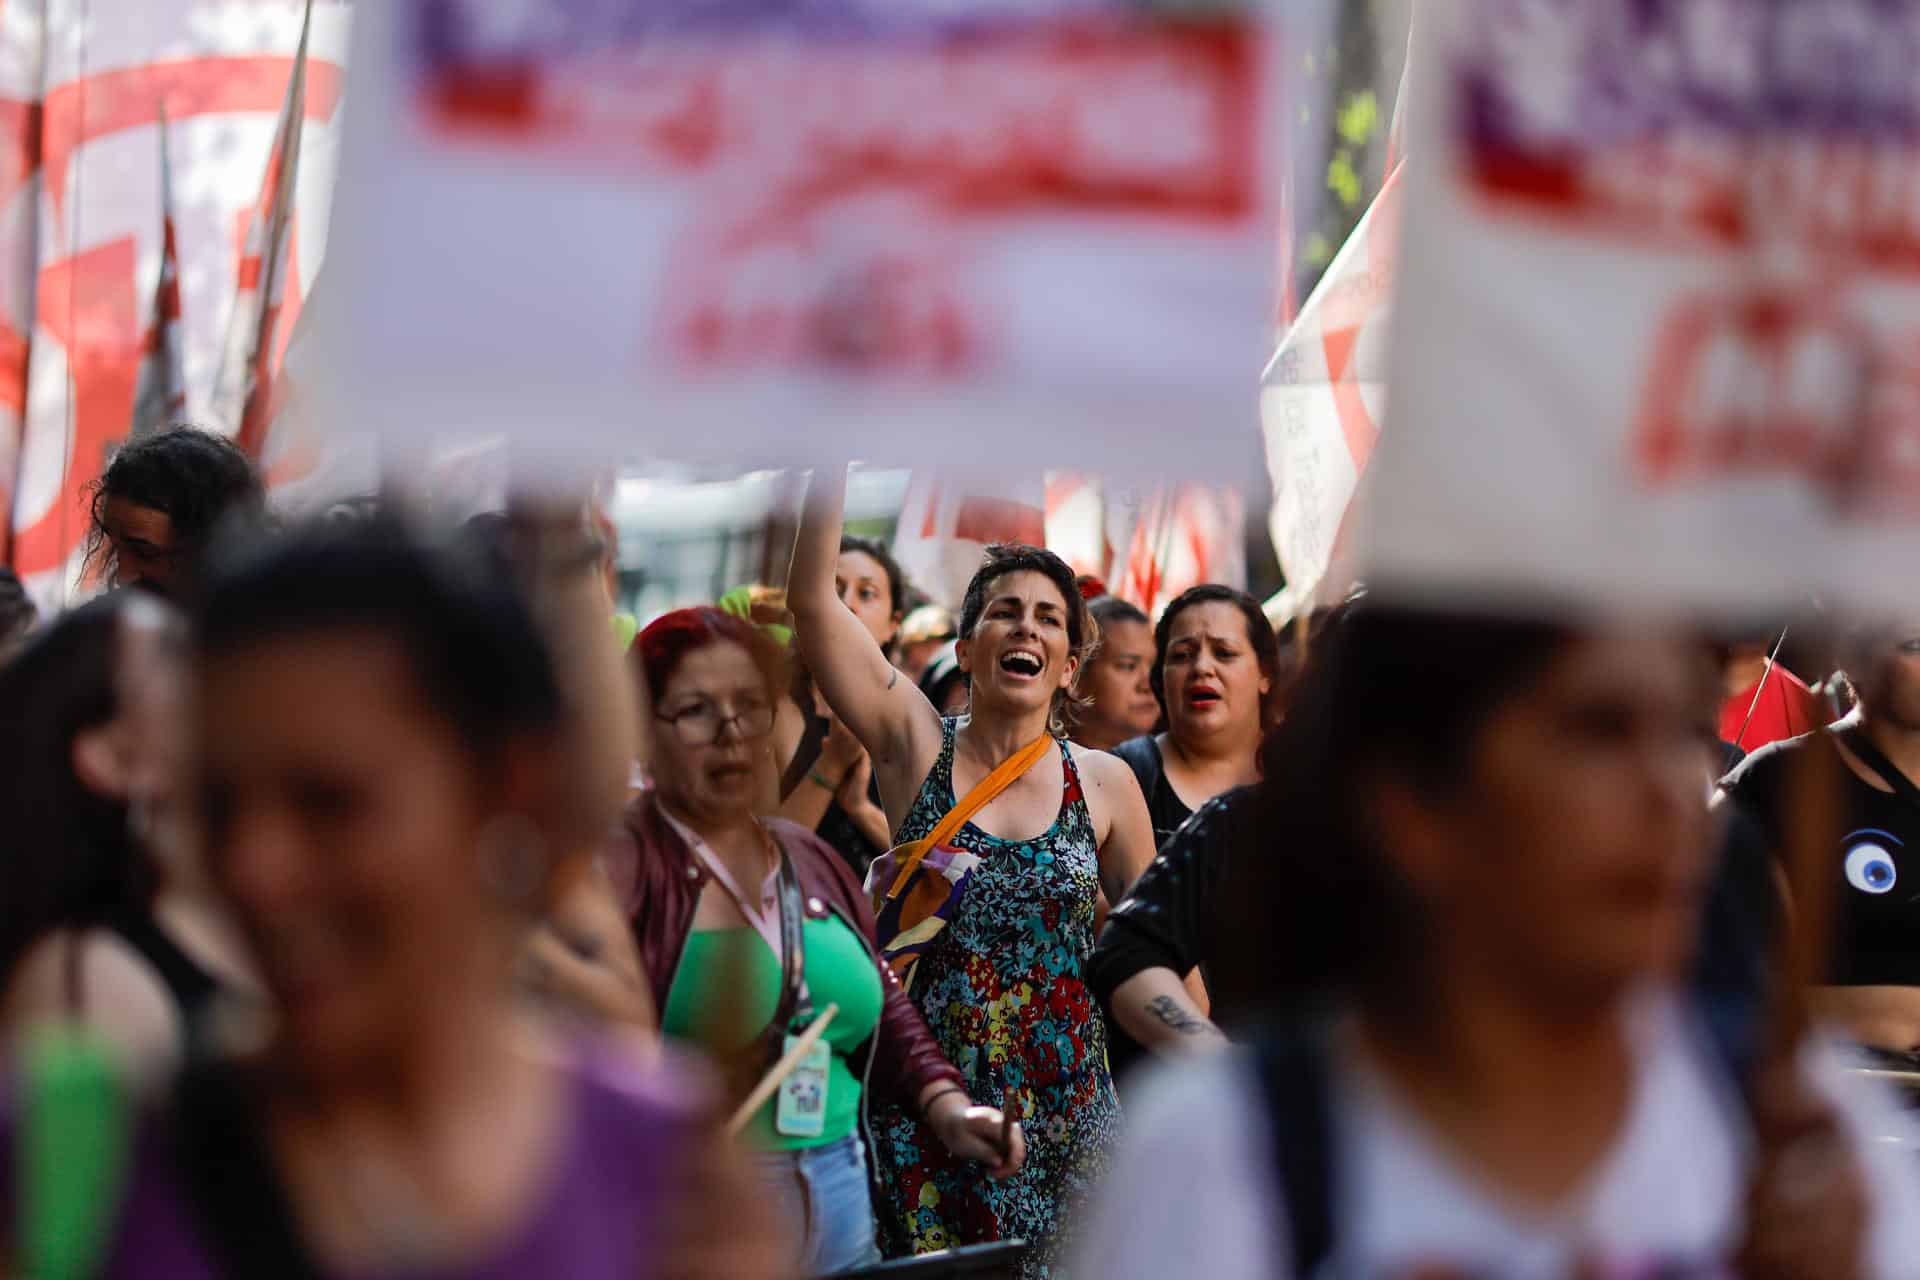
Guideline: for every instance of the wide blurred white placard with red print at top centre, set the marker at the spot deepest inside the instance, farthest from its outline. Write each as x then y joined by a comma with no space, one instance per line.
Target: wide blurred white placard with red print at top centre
938,231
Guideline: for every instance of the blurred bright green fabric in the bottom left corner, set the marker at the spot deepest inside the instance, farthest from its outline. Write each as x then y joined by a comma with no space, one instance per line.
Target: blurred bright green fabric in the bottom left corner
72,1154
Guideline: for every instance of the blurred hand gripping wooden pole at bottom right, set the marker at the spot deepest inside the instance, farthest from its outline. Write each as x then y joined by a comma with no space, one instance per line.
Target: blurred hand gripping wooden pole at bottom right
1808,1202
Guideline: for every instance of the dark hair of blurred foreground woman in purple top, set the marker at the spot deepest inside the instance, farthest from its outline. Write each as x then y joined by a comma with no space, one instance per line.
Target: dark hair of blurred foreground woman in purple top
468,632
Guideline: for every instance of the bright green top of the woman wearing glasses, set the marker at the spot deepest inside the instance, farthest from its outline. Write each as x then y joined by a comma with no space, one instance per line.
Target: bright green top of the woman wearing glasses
838,972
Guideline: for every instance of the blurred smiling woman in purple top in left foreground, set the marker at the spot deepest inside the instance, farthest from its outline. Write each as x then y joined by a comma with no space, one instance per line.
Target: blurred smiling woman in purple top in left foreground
385,788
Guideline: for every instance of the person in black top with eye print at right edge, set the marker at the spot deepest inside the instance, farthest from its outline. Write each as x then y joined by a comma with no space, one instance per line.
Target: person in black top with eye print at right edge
1875,976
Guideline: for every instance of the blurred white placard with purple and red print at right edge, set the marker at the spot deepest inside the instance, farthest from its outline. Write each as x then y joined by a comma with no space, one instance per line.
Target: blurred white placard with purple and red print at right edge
1660,304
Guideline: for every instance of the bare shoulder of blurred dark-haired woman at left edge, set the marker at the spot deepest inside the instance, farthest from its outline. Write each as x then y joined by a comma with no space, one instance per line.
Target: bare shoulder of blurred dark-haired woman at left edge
122,997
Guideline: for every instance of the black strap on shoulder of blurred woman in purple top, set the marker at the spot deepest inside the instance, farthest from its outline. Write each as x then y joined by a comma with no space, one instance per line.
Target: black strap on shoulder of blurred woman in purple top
233,1187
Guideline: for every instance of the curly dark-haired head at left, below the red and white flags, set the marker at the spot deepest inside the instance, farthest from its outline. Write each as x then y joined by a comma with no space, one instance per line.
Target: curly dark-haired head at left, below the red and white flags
158,504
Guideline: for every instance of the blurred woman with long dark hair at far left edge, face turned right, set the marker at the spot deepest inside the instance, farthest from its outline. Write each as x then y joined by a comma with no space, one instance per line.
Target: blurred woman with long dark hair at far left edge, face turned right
105,918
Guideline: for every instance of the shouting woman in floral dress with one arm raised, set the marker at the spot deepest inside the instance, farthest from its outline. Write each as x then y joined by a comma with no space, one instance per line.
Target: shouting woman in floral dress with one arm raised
1001,982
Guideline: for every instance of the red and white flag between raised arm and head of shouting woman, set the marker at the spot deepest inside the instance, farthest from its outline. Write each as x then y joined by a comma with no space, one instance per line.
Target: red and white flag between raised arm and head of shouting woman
949,521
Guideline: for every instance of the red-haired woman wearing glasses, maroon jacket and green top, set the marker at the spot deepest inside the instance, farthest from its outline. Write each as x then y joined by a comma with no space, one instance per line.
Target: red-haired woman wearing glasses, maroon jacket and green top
750,930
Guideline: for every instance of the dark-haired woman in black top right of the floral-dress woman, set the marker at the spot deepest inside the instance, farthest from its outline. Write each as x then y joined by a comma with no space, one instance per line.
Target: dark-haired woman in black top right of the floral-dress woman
1216,669
